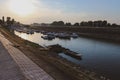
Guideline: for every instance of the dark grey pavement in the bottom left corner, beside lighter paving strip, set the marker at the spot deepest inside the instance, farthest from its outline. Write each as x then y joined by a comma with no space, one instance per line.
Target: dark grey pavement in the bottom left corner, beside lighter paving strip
9,70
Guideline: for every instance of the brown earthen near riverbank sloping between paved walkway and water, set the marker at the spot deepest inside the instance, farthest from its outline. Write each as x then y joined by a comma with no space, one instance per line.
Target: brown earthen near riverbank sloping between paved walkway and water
50,62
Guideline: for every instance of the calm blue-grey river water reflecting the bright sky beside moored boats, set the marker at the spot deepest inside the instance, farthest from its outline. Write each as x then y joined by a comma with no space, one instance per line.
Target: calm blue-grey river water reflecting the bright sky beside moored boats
101,57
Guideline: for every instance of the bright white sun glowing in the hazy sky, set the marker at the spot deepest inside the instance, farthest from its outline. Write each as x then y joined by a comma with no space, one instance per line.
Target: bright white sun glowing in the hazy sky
22,7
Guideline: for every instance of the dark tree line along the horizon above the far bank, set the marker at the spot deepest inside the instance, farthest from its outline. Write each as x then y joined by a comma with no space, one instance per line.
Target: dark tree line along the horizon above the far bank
98,23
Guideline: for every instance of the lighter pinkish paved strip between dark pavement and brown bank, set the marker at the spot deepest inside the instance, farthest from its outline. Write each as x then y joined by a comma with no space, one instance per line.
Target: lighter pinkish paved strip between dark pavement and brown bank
27,66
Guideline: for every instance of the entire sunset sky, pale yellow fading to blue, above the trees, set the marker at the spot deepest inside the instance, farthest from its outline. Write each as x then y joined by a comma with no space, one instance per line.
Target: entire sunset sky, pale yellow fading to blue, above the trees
30,11
